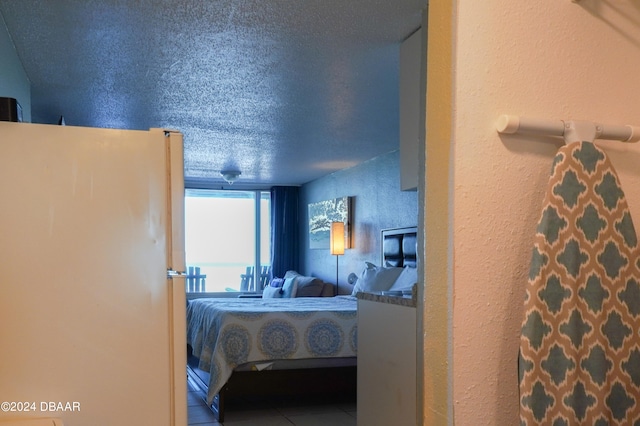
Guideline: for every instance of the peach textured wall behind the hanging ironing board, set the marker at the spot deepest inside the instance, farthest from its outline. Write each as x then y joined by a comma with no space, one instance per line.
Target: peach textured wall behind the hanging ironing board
549,59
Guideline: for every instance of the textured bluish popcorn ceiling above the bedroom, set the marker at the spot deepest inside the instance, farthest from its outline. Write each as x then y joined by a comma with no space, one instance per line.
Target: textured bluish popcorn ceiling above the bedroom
284,91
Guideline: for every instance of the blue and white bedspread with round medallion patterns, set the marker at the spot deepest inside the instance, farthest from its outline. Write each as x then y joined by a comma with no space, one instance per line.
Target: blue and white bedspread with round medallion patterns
225,333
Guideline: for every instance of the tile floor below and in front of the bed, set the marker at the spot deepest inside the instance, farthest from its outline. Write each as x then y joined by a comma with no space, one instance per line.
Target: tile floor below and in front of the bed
298,412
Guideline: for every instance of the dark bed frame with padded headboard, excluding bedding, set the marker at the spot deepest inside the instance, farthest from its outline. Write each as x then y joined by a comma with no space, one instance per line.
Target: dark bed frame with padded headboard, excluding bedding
399,248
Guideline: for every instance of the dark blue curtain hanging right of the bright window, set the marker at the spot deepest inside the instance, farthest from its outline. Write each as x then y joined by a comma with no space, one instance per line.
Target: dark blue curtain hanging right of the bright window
284,230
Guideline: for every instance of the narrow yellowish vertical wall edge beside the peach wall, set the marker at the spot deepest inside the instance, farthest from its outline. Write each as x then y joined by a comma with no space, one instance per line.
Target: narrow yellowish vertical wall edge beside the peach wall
434,388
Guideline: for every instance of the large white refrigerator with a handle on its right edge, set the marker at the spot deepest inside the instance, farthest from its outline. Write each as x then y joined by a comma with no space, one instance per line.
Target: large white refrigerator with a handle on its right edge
92,318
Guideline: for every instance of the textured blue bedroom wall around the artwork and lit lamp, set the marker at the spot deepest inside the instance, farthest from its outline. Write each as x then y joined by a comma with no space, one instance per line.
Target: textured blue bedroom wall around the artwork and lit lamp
378,203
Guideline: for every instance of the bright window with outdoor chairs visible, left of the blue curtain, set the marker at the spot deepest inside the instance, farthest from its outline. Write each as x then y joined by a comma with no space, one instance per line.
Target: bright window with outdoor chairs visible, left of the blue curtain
226,236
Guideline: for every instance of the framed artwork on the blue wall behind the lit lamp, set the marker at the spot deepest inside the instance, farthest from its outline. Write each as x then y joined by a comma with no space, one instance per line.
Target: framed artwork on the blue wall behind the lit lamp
321,214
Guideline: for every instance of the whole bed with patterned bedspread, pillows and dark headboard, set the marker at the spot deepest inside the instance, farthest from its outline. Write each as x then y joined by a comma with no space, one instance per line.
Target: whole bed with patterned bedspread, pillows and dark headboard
249,346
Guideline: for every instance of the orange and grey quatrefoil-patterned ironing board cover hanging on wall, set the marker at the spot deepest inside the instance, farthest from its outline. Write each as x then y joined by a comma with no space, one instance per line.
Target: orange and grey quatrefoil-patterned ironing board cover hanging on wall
580,345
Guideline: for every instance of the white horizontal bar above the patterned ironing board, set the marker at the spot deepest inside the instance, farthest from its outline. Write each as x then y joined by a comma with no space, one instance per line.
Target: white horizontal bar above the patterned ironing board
572,131
